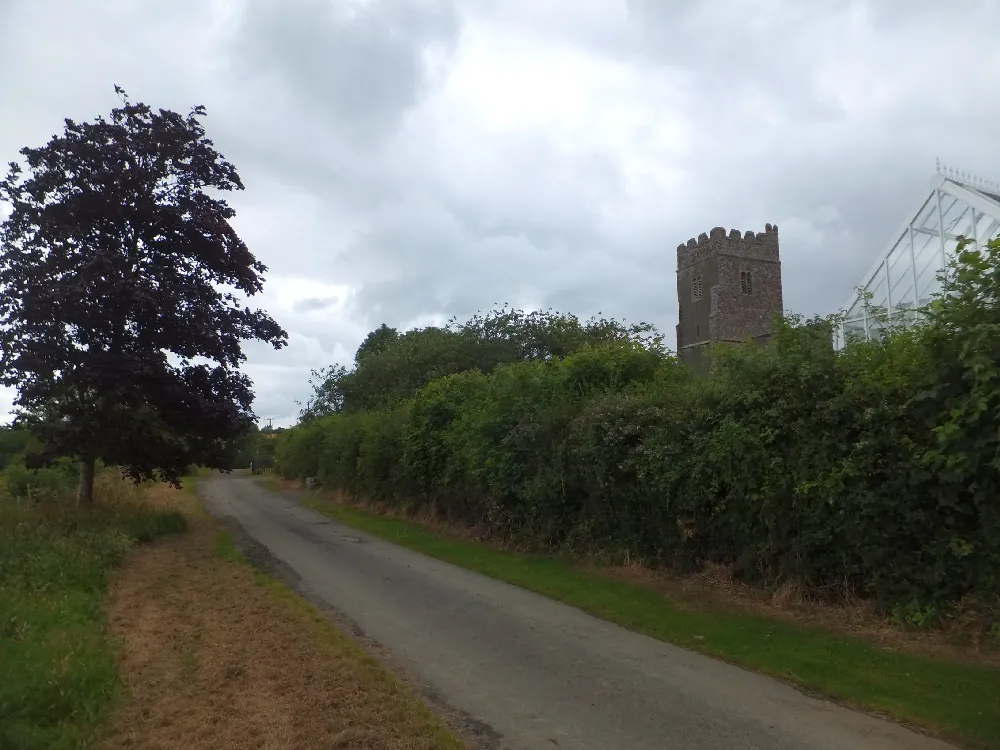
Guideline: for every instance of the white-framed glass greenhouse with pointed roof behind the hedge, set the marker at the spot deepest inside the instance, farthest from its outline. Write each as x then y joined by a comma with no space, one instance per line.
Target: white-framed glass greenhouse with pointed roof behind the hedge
905,277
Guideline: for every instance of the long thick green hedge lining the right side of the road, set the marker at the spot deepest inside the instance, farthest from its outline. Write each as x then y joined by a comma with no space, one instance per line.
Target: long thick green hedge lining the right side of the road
875,469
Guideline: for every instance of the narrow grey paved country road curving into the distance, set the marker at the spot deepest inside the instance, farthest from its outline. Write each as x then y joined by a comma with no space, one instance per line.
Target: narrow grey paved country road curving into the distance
538,673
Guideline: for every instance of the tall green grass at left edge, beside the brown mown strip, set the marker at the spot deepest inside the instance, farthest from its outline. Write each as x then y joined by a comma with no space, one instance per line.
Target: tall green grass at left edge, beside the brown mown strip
58,672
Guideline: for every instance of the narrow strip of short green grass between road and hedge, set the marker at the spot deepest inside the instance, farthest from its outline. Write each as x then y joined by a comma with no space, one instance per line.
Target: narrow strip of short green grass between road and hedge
961,701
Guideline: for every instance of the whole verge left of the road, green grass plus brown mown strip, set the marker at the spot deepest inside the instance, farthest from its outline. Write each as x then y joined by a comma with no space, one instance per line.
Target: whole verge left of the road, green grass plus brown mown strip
180,644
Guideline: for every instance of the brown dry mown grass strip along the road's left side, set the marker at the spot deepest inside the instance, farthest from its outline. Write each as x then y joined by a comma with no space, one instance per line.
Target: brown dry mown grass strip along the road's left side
215,655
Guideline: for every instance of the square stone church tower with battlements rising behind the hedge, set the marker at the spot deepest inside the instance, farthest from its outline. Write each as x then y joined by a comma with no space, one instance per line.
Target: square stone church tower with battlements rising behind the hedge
728,290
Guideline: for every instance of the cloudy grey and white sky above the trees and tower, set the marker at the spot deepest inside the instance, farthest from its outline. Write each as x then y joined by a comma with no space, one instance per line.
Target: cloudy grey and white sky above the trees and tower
407,161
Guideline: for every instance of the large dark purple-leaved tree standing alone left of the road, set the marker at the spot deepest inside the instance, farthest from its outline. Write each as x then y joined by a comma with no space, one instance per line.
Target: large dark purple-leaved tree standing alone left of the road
122,287
